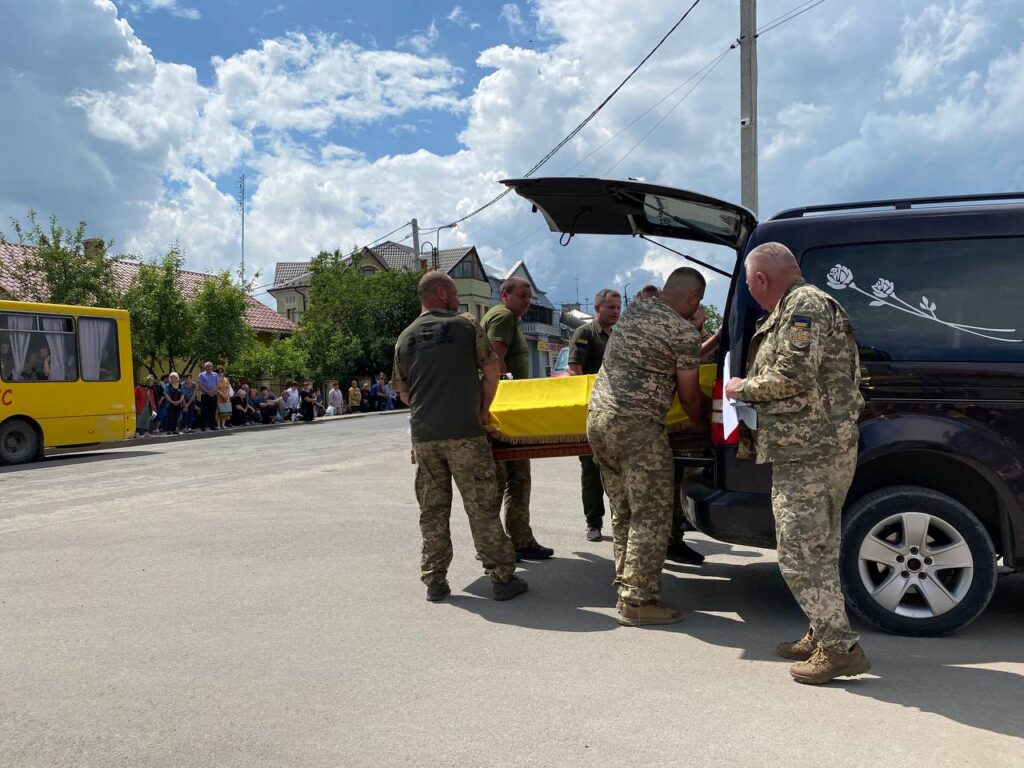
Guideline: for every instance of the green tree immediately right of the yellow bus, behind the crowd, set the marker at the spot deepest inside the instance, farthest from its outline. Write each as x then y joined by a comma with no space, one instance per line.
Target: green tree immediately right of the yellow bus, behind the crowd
162,324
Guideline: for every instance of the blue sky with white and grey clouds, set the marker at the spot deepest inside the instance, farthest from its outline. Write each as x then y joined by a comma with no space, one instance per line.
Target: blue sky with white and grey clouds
349,119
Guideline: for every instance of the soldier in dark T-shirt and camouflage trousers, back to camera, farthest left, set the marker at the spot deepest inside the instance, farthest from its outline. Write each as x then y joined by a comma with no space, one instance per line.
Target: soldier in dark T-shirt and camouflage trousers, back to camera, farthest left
439,362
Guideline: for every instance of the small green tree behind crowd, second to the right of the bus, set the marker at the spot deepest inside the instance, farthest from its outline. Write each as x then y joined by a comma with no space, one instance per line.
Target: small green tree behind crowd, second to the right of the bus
219,312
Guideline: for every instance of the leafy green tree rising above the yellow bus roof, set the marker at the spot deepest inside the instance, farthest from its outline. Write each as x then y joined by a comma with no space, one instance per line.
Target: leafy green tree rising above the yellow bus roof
64,267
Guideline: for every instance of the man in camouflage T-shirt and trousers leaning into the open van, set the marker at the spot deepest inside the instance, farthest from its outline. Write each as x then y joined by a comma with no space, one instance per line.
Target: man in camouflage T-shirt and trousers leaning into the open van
653,354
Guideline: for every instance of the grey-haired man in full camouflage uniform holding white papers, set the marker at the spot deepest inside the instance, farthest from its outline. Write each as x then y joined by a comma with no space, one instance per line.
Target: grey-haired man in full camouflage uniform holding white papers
804,382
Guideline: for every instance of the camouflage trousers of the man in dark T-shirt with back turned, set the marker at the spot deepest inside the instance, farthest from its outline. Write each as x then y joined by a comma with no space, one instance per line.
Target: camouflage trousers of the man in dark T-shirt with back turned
471,463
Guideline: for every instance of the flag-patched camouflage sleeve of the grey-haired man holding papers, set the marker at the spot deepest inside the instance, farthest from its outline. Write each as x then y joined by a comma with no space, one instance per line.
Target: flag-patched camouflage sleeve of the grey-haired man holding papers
799,354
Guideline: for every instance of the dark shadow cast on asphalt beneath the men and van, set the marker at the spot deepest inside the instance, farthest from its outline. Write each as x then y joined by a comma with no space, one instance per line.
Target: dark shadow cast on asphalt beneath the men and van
749,608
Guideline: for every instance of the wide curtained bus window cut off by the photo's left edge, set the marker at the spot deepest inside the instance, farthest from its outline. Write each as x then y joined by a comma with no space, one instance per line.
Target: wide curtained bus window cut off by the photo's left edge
37,348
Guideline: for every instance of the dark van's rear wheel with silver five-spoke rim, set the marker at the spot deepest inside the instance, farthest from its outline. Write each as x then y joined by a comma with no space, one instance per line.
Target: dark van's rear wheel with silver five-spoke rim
916,562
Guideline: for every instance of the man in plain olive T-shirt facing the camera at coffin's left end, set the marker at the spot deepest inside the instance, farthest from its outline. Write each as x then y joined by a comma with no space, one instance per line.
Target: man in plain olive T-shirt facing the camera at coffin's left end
502,326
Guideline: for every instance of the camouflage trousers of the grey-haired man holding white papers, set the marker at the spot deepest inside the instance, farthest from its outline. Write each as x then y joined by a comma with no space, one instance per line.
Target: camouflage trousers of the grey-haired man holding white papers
807,500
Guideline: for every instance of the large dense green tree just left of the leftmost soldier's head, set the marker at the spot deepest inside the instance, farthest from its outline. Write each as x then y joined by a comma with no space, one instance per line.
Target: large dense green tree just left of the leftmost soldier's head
354,321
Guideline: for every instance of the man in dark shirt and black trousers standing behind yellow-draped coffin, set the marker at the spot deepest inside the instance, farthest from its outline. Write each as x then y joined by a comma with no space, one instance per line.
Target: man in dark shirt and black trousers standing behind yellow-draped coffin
586,355
